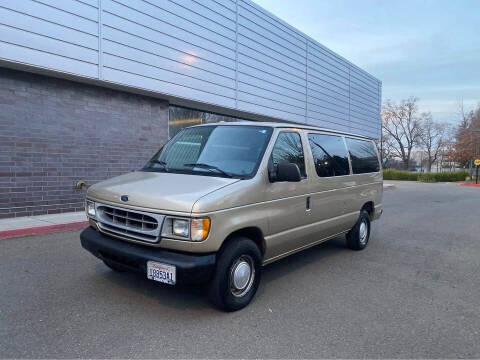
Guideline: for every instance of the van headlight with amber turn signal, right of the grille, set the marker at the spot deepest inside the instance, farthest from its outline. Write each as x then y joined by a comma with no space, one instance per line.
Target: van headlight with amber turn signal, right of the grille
185,228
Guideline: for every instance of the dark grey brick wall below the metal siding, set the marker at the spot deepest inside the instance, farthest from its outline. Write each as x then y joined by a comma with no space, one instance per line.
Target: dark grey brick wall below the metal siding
55,132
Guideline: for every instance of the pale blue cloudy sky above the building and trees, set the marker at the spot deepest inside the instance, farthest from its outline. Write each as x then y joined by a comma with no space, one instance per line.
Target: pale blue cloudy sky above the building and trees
425,48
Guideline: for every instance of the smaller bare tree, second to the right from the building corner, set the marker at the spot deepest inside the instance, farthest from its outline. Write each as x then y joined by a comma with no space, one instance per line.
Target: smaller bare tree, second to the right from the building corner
433,139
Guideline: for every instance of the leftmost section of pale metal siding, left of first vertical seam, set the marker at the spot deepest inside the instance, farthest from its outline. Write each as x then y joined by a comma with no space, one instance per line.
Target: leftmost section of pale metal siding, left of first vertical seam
52,34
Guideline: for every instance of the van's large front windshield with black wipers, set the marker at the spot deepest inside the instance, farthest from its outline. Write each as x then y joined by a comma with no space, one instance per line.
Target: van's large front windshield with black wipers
225,151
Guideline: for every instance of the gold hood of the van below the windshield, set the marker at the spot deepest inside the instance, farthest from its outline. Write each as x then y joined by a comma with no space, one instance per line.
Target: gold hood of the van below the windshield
159,191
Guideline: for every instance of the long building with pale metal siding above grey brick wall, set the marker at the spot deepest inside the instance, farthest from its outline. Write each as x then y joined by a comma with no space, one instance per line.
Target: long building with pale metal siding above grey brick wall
90,89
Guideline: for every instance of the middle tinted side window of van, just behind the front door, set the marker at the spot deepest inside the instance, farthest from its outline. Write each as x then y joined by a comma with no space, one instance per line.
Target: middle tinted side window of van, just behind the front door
329,155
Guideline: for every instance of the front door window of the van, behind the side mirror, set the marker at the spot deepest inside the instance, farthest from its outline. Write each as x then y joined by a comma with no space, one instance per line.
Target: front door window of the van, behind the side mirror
288,148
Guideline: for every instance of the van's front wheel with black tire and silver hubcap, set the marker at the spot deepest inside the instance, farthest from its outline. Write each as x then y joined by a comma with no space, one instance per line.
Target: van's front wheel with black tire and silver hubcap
227,291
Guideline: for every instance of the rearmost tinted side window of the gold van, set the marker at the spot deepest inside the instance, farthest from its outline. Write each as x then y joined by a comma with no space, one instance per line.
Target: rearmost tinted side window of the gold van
363,156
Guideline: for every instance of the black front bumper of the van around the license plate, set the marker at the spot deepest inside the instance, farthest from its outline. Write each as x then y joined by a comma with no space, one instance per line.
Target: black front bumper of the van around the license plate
190,268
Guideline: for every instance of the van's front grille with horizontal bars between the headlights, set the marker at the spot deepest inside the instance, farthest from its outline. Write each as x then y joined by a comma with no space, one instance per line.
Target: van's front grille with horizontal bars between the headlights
128,223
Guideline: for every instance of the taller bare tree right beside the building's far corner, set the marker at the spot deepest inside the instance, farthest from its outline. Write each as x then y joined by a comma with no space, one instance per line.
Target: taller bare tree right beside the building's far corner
401,126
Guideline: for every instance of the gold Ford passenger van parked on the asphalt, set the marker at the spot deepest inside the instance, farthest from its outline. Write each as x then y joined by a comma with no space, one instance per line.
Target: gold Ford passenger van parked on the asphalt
219,201
